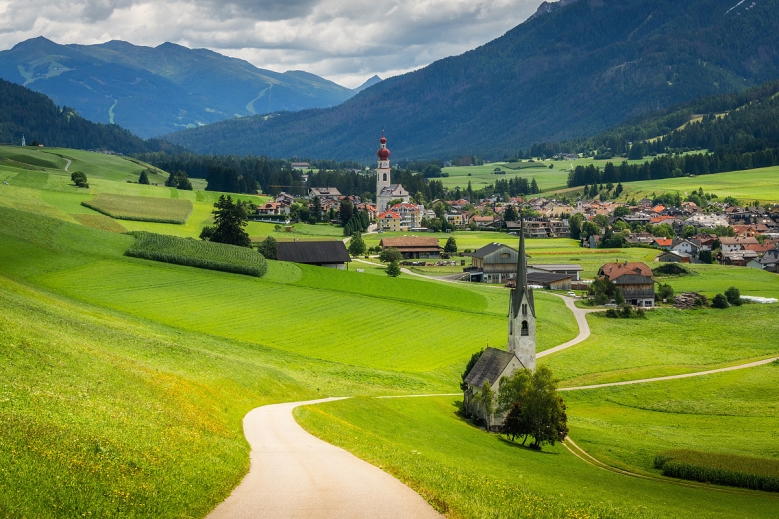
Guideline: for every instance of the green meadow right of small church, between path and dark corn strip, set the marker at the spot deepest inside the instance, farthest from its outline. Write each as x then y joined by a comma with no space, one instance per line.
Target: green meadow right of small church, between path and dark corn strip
733,413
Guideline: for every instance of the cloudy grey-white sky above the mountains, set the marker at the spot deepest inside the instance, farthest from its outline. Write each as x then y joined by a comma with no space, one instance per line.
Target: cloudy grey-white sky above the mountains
346,41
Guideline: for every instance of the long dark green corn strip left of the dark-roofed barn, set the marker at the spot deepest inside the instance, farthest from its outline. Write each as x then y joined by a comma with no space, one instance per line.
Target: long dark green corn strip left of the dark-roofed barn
197,253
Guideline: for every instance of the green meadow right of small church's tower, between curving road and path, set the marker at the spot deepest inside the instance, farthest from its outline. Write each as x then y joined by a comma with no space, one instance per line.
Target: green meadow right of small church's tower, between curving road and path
667,342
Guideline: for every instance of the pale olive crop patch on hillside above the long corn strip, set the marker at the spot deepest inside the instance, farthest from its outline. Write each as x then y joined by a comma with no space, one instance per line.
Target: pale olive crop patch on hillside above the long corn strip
158,210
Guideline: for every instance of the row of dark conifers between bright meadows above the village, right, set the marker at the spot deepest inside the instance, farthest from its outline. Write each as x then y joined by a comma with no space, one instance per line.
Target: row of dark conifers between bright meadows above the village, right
670,166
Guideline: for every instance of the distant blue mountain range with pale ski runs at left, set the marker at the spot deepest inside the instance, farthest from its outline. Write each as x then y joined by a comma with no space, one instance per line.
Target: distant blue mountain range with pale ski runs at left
152,91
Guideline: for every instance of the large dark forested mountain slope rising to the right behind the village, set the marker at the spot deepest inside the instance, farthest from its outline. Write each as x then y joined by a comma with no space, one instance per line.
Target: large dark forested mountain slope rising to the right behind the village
576,70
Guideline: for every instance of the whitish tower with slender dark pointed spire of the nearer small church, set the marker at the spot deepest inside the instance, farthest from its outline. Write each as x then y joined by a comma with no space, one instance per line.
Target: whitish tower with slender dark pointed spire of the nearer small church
522,312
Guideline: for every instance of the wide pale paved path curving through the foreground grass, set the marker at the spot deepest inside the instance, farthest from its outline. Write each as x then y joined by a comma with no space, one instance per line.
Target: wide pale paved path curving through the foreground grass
295,475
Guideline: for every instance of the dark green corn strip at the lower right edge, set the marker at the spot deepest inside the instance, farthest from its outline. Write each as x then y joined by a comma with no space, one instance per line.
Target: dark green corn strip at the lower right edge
720,469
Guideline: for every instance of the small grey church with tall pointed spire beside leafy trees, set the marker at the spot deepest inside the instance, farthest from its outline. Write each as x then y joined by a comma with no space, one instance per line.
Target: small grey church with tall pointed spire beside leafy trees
494,364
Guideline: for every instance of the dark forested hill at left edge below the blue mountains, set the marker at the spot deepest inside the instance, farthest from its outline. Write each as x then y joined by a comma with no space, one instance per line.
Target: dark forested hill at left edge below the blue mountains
36,117
